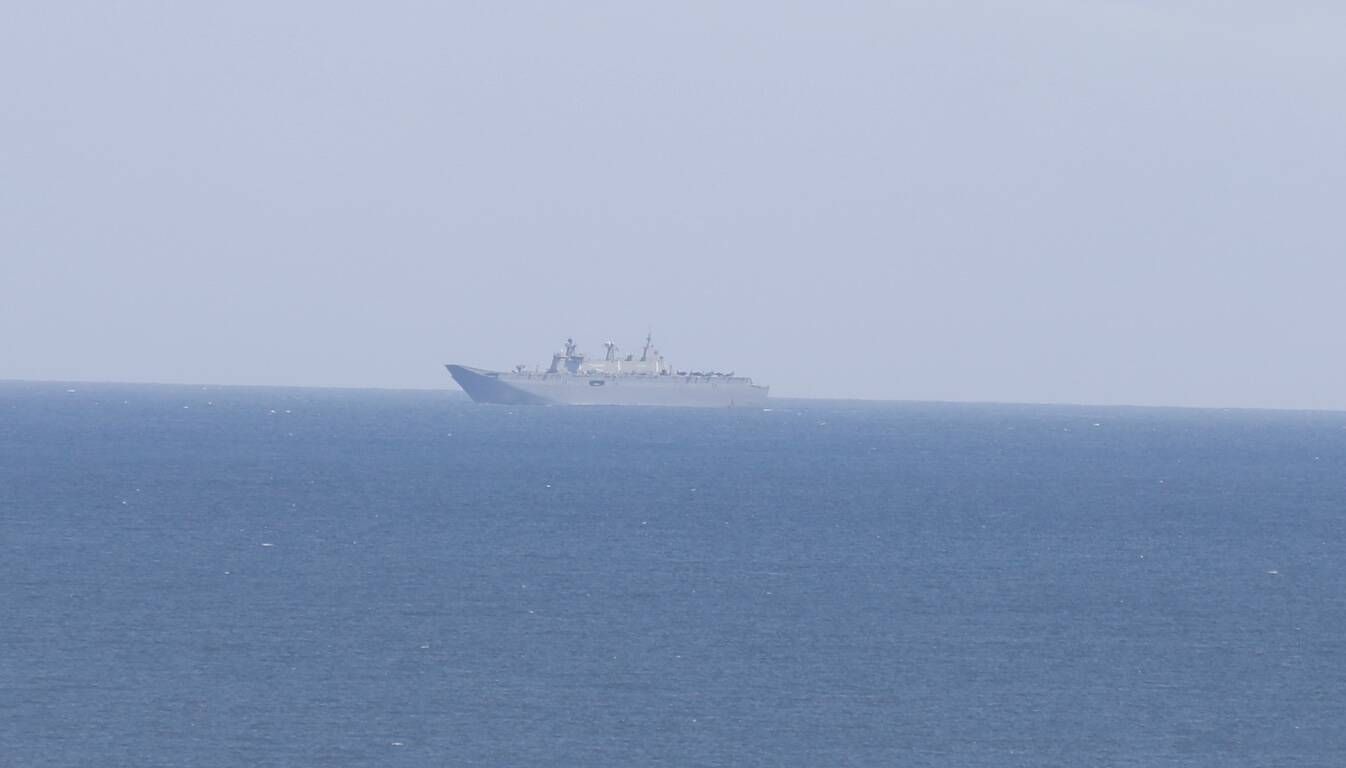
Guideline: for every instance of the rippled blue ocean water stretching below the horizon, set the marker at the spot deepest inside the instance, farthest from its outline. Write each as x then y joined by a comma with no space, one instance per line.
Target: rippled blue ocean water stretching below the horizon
314,578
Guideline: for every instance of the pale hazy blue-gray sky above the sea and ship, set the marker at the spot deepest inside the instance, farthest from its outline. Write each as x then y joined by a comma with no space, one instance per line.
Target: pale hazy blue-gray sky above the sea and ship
1112,202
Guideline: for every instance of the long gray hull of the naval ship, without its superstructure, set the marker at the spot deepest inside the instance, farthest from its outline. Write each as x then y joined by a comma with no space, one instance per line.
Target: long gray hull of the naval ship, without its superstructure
570,389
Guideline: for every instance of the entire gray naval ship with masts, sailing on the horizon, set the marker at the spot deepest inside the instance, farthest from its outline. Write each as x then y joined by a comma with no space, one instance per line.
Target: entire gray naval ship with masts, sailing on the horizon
617,380
